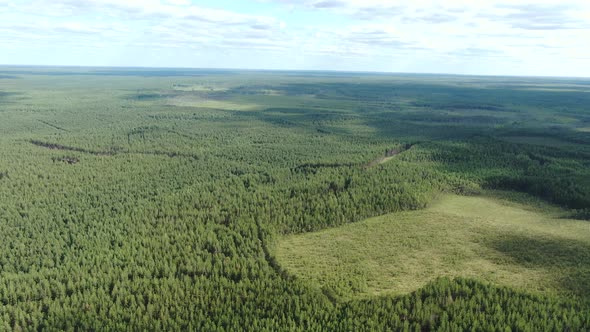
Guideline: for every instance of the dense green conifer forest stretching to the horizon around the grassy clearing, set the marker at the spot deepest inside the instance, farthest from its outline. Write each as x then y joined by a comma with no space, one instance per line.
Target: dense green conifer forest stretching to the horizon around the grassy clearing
153,199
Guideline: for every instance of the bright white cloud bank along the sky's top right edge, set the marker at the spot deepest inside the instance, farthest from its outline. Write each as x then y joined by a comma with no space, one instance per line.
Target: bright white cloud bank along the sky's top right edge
524,14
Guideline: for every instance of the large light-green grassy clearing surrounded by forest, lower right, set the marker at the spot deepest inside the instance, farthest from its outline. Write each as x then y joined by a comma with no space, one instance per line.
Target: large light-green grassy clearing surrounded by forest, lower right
527,245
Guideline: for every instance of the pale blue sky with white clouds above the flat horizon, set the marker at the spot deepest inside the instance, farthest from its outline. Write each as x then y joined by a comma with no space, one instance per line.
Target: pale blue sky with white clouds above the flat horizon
487,37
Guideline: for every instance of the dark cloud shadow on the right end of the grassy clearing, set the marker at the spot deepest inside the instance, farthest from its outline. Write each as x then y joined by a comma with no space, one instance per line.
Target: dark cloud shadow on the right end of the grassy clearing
566,259
